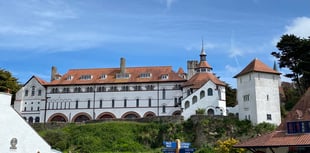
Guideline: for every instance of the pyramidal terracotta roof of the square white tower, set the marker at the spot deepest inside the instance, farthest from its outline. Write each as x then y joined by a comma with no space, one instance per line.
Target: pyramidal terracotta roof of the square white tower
256,66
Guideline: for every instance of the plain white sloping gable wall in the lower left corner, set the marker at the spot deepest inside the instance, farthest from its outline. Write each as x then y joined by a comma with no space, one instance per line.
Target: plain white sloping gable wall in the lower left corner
14,126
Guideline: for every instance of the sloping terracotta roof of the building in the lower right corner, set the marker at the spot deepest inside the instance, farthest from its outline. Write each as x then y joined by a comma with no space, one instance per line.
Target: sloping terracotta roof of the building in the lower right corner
280,137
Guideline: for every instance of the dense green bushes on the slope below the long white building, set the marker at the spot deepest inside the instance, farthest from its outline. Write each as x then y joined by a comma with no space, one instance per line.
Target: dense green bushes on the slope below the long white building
116,136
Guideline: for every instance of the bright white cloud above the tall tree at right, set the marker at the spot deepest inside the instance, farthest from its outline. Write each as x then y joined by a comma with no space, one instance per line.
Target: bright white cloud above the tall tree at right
300,27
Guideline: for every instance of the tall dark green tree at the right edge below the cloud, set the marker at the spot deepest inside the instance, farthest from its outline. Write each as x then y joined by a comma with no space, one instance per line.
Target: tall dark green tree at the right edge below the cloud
294,54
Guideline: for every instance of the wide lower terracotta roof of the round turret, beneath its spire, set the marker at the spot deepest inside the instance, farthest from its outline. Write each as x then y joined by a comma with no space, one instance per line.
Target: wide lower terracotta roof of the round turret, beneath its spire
199,79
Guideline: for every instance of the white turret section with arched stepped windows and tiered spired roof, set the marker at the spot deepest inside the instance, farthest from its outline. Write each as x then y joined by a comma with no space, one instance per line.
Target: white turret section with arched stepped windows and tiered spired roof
203,91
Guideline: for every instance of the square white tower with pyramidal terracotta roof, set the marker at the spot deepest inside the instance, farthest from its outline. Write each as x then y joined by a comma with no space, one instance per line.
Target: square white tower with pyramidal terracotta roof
258,93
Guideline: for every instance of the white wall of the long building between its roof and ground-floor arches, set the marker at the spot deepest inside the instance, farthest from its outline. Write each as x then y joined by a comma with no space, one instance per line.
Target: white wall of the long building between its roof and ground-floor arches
60,102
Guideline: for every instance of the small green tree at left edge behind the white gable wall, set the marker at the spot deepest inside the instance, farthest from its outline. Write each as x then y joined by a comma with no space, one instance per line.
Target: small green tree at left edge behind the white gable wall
8,83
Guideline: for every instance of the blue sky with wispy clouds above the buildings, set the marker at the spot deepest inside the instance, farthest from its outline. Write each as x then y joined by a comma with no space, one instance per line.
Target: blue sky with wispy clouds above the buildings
36,35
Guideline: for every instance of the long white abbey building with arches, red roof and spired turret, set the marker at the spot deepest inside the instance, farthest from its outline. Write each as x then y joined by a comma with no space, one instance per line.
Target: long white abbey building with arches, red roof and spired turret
122,92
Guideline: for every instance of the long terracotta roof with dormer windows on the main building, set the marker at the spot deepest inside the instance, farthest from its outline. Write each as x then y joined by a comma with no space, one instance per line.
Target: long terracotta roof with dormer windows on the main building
151,74
